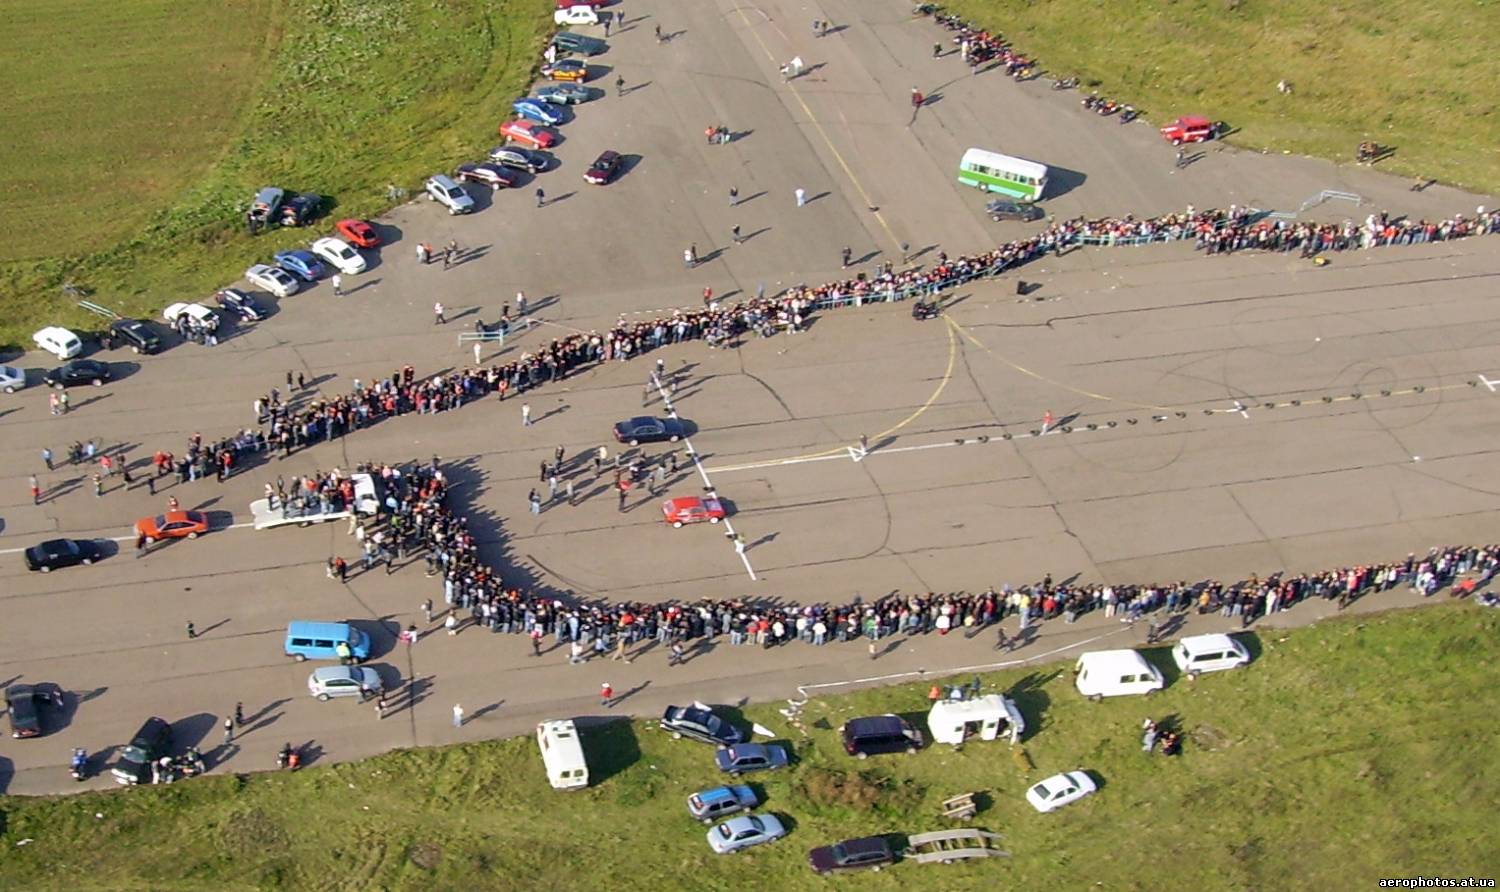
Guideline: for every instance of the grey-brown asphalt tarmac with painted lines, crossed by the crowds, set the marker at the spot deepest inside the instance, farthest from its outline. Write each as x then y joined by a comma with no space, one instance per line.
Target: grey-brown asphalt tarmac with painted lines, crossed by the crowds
1211,416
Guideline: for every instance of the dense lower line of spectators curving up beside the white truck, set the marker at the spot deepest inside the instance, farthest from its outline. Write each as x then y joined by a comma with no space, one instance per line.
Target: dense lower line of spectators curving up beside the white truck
419,519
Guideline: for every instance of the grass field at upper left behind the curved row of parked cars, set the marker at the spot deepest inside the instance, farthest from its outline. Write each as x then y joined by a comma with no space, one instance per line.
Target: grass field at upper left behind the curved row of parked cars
146,127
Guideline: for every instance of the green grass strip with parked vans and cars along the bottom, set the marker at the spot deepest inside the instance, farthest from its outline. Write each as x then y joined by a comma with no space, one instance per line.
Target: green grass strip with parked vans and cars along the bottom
1348,752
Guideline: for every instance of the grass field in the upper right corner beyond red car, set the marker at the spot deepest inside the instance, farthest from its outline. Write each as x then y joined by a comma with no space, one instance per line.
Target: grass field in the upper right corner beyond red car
1414,74
